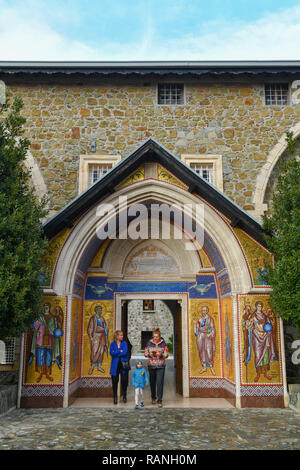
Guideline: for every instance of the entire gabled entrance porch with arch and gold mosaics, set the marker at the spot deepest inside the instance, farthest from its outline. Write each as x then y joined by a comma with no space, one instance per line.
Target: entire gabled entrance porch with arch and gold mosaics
216,282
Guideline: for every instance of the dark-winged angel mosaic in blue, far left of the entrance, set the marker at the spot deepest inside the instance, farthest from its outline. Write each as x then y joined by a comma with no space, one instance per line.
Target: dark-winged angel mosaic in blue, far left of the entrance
44,341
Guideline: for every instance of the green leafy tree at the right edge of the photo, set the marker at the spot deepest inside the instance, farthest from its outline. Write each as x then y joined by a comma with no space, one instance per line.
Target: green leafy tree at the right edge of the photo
282,233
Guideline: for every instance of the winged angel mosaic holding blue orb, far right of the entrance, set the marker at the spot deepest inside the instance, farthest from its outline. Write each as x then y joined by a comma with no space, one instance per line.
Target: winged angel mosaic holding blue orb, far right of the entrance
259,330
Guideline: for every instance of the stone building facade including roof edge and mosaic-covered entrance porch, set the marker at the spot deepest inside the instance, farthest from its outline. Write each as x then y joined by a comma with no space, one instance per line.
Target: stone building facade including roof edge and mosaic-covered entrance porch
227,123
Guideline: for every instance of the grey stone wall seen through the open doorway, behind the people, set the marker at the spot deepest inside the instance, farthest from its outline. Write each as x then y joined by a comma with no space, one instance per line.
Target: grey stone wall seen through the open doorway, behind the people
139,321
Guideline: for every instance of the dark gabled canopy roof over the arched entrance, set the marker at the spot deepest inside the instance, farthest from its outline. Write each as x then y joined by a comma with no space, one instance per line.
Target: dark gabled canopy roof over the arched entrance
153,151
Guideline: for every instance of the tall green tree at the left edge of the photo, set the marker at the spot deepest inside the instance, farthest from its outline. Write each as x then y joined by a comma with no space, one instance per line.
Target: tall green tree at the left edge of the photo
22,243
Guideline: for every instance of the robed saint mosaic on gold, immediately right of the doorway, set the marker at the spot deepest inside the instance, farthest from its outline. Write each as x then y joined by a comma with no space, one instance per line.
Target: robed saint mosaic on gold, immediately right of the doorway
205,332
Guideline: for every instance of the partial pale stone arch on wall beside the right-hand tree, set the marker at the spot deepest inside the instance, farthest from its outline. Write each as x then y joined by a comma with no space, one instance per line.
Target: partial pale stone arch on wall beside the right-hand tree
263,177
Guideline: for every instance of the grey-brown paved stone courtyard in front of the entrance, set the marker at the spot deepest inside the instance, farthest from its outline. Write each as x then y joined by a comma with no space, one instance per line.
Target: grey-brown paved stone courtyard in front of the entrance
150,429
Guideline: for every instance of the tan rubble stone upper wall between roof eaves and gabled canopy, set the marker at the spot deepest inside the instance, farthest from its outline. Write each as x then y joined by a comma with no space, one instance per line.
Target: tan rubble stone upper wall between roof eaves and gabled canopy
230,119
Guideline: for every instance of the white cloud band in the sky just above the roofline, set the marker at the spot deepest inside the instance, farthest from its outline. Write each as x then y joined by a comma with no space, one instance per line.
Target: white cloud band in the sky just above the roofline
27,34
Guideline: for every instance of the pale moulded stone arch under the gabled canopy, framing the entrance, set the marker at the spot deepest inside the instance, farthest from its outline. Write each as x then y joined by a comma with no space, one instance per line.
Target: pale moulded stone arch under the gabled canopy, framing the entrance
82,235
